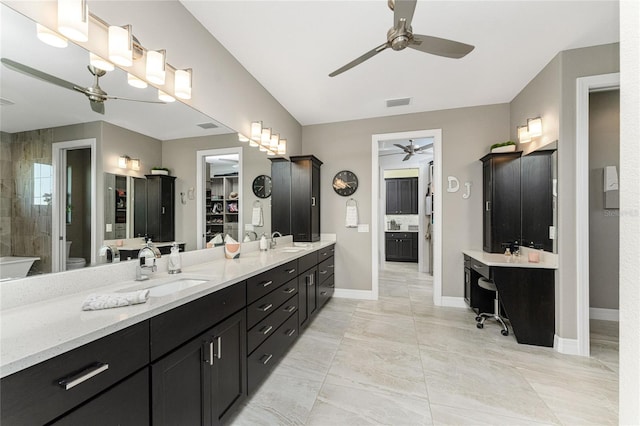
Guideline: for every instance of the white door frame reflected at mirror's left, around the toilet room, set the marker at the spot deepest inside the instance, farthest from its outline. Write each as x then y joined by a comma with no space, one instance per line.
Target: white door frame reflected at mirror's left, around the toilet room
58,220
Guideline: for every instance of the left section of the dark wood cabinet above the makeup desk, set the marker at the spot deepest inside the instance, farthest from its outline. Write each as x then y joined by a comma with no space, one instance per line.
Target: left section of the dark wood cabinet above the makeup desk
501,200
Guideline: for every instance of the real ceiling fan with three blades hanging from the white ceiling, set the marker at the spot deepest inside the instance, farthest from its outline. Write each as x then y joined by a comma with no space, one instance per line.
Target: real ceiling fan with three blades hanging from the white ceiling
401,36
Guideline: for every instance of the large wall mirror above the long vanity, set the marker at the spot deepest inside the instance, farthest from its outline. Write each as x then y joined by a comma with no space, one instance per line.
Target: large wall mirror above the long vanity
36,117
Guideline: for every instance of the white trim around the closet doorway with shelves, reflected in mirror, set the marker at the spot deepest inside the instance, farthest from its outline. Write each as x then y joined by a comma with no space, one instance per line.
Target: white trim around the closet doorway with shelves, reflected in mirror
201,190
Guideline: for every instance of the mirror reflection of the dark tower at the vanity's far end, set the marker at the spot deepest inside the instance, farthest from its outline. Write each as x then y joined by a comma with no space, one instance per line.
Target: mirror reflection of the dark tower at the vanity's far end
281,195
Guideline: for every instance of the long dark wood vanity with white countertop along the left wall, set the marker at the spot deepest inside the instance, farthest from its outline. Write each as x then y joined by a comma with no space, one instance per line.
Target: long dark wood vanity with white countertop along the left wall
190,356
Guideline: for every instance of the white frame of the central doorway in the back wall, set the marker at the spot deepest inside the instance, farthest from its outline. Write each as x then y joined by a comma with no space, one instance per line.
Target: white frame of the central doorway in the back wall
378,204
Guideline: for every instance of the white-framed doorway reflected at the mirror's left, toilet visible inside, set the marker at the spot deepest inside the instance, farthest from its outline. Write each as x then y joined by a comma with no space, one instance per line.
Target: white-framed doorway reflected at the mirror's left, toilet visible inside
74,232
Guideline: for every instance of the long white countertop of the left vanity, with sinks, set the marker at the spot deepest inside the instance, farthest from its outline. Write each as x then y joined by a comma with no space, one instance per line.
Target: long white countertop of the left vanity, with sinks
34,332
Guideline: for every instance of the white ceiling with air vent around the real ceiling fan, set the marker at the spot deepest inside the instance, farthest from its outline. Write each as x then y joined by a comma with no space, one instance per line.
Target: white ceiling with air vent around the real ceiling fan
290,47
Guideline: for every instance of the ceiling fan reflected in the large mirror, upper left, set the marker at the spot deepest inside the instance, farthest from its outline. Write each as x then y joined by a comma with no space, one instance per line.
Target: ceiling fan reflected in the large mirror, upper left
96,95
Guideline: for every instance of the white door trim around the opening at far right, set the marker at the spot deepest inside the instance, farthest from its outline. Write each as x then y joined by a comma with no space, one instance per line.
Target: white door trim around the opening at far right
584,85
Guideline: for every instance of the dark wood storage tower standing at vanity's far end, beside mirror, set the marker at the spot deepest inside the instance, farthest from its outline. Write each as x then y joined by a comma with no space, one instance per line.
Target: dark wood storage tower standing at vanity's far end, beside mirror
305,198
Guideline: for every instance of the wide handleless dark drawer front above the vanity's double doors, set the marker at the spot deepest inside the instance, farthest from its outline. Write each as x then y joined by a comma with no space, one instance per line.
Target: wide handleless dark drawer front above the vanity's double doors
171,329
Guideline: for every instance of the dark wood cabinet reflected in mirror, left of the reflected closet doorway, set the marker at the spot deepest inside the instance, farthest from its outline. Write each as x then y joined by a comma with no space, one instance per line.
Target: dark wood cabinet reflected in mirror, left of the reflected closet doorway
161,207
